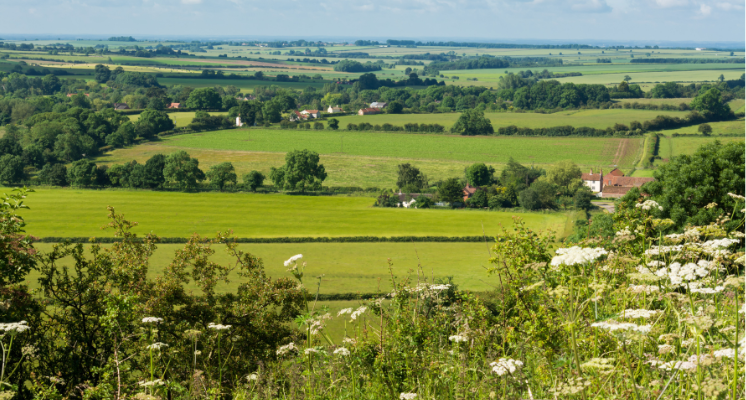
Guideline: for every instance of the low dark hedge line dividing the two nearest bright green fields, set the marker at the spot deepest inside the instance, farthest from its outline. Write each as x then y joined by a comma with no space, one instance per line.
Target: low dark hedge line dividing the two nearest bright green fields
340,239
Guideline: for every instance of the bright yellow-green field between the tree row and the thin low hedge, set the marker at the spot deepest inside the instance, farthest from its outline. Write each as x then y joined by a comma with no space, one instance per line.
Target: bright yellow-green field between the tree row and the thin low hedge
79,213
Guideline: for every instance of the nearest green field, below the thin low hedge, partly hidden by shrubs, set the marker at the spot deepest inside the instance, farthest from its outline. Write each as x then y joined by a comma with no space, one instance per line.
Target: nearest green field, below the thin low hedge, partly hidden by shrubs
350,267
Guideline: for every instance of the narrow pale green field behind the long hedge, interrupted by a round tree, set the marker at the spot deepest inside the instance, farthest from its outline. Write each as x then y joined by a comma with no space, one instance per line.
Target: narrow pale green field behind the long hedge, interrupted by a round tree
599,119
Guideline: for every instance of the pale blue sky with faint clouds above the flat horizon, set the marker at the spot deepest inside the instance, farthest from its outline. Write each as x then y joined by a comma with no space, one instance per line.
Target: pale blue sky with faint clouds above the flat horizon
555,20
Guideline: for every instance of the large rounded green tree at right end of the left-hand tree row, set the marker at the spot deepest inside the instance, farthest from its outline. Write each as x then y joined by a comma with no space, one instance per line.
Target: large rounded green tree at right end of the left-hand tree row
301,172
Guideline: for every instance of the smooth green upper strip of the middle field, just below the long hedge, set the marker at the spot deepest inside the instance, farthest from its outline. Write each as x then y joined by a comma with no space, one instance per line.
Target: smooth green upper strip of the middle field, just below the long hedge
492,149
